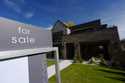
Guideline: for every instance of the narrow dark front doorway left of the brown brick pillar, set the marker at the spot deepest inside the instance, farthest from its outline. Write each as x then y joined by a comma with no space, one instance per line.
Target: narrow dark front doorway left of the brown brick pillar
70,50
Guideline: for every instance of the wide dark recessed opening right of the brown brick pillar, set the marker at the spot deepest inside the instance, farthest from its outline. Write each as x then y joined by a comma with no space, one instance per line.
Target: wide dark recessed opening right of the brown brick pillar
94,49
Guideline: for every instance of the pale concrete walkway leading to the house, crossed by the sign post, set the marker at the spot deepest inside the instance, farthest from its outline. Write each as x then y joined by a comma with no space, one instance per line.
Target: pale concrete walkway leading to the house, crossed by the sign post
63,64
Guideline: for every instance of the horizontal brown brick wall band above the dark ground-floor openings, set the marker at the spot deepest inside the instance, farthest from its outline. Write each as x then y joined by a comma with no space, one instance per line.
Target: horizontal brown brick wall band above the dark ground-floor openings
106,34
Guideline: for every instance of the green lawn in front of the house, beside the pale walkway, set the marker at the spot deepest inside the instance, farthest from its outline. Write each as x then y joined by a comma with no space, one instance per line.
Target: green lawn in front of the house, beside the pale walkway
79,73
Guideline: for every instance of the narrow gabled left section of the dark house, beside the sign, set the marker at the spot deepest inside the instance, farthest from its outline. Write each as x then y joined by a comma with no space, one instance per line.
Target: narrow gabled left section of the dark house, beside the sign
58,31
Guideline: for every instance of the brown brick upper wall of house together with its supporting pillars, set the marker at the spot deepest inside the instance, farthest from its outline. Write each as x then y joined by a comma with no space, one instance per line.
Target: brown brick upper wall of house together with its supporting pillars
109,34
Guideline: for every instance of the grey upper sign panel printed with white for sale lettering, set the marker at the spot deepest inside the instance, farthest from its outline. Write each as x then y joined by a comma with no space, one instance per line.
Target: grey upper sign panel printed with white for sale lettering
15,35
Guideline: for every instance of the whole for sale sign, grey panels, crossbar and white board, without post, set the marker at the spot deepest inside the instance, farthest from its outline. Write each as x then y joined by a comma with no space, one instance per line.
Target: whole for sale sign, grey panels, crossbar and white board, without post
18,42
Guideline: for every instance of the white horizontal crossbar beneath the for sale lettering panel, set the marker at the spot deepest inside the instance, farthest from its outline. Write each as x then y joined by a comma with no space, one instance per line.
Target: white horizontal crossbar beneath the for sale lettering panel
24,52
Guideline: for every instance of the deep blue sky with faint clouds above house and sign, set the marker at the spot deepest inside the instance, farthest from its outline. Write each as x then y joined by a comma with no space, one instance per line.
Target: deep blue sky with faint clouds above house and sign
45,13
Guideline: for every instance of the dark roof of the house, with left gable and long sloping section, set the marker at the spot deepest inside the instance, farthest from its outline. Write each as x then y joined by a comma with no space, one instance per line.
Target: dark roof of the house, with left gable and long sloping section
95,24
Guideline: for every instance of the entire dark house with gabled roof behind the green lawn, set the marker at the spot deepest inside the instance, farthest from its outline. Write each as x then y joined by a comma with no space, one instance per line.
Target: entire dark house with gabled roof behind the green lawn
86,40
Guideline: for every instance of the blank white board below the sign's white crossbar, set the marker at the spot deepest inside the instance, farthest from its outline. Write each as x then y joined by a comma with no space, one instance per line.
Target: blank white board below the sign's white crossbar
14,71
